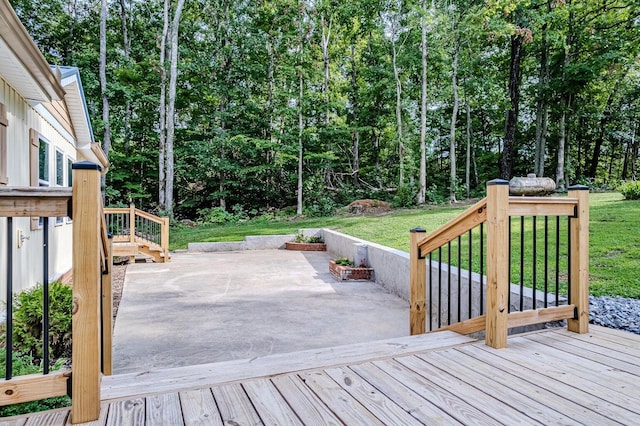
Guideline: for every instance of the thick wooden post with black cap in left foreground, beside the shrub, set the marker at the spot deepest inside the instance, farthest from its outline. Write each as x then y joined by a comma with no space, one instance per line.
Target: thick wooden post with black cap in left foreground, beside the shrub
86,292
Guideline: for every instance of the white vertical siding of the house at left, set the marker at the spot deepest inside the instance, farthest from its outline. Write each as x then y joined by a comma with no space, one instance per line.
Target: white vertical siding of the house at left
27,260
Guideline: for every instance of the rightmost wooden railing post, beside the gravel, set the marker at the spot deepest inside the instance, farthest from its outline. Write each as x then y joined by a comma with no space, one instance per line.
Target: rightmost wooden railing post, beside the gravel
580,261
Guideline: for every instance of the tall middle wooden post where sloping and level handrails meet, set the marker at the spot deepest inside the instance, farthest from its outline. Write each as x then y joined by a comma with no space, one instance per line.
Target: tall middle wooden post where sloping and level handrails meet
497,263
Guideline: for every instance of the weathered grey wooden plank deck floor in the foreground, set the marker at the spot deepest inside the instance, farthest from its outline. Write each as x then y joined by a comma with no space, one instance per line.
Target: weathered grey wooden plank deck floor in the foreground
547,377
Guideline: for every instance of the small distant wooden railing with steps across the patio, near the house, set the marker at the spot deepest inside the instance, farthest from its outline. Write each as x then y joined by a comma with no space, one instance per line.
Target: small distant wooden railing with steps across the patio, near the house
135,231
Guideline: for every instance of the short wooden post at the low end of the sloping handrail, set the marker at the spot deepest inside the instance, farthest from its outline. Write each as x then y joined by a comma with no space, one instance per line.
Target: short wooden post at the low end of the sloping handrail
417,279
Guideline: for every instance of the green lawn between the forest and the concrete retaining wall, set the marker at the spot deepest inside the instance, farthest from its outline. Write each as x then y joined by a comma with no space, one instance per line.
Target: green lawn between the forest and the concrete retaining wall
614,236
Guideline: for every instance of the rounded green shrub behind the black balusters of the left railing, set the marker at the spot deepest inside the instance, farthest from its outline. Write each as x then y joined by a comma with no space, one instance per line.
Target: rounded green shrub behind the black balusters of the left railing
27,322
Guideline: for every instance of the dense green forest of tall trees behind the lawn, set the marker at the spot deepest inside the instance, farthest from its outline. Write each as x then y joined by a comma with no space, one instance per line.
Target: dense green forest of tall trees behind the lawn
211,106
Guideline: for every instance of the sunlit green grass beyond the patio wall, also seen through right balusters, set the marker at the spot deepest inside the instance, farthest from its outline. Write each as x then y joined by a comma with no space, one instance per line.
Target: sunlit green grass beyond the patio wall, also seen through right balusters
614,239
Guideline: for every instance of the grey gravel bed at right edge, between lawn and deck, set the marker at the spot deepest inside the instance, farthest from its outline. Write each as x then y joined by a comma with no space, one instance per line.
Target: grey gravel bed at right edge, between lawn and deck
615,312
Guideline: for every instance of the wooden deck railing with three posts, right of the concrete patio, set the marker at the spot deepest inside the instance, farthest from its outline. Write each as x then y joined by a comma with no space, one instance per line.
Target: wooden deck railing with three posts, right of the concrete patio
495,211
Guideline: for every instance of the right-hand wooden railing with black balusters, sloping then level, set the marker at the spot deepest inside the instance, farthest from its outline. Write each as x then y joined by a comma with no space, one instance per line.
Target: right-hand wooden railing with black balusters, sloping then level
494,315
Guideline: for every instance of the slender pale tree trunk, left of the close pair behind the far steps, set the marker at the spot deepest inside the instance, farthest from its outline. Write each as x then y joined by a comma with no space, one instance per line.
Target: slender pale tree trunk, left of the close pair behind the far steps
162,180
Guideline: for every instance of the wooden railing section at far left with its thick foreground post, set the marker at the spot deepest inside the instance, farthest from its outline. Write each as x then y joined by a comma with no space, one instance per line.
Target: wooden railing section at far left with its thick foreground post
92,306
